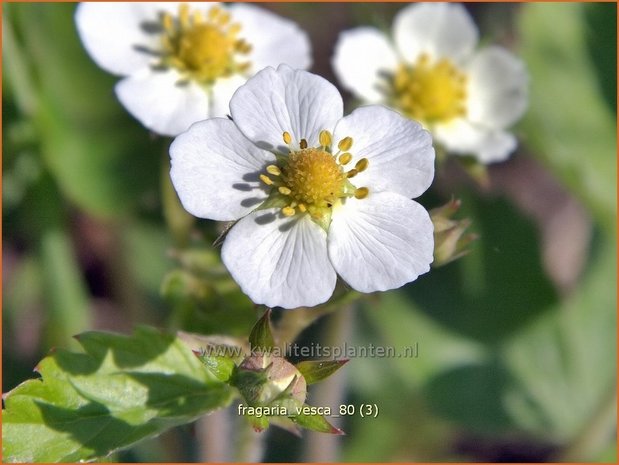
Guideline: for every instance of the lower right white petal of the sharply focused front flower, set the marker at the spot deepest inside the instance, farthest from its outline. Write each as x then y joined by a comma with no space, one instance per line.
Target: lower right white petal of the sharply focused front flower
381,242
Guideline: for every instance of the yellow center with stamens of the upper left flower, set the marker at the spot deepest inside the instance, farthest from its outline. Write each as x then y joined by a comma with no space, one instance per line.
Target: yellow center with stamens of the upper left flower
203,48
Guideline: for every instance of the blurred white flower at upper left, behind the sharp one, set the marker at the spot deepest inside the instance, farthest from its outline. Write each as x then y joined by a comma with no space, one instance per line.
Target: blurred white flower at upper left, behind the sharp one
183,61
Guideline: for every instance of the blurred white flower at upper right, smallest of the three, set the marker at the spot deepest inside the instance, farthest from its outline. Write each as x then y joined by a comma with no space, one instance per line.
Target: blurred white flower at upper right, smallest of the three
432,74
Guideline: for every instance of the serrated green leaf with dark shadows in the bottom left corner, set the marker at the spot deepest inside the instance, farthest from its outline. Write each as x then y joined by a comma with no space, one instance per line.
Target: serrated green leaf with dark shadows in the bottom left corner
121,390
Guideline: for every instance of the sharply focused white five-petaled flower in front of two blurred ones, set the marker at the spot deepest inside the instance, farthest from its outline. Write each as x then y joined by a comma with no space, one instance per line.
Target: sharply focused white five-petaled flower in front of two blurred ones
316,193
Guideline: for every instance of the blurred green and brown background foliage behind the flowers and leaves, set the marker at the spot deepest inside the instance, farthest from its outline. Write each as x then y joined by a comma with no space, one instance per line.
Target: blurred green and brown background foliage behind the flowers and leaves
516,341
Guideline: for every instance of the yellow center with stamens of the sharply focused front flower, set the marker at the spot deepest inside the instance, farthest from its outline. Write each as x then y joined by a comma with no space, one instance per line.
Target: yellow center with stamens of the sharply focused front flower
312,180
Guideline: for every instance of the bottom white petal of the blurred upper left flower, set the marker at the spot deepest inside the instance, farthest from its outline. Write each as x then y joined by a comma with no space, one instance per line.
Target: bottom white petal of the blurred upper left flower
161,102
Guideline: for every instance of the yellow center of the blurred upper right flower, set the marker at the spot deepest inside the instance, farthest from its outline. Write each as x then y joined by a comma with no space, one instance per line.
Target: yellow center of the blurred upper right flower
430,92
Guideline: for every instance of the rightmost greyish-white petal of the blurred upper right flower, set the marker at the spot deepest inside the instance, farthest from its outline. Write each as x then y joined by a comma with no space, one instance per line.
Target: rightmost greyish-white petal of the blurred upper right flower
497,88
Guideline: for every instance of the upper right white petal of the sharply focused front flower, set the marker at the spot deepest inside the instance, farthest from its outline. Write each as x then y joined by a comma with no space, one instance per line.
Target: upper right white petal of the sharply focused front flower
399,150
